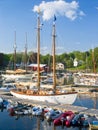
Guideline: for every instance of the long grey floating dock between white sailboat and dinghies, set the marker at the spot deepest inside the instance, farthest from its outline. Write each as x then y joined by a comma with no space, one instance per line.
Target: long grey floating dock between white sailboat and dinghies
63,107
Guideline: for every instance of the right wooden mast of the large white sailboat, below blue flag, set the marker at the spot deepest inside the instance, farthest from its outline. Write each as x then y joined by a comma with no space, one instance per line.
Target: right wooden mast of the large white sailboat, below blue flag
54,68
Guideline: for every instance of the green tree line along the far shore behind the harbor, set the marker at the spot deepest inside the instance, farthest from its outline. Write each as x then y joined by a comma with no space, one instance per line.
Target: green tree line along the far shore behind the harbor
87,60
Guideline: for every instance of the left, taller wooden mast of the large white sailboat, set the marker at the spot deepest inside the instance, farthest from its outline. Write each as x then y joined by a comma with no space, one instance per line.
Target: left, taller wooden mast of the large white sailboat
38,49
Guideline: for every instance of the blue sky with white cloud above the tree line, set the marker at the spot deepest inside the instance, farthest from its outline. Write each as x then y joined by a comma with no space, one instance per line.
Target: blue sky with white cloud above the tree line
76,25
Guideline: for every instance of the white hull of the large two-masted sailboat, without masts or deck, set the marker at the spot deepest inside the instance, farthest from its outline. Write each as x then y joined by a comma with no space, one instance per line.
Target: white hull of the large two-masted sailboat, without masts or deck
57,99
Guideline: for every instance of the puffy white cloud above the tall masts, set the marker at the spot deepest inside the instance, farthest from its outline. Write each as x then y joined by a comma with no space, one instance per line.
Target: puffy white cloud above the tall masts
59,8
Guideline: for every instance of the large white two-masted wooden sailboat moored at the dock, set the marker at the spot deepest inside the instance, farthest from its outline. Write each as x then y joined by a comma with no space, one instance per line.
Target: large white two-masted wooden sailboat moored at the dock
48,96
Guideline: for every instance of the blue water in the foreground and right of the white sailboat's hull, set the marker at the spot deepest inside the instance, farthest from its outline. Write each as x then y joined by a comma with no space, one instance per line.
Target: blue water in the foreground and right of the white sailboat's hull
9,122
